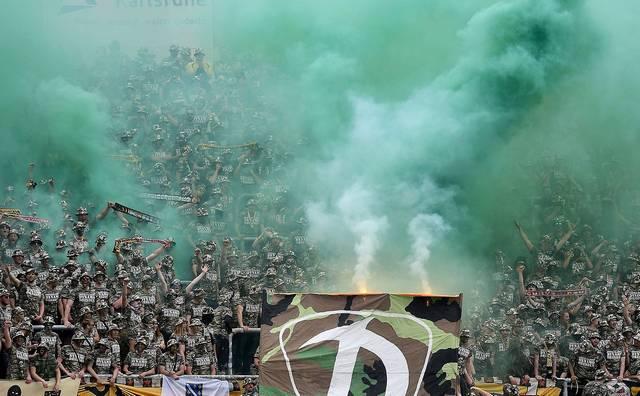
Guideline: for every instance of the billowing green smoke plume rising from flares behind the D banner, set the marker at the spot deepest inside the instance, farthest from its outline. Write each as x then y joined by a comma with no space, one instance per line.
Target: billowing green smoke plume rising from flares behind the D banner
400,105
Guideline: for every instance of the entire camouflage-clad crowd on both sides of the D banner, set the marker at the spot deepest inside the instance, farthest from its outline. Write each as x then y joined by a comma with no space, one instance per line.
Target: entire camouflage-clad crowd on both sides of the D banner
198,141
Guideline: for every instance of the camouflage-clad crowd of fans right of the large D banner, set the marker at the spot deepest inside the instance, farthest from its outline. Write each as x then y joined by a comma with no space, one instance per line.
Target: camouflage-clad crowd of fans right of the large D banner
568,308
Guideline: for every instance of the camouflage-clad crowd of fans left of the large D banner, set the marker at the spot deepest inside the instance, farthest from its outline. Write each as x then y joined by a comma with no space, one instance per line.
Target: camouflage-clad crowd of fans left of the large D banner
199,142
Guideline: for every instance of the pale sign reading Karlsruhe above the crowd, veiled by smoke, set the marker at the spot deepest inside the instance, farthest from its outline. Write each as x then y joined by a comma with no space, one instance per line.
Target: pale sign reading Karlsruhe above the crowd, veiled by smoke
154,24
